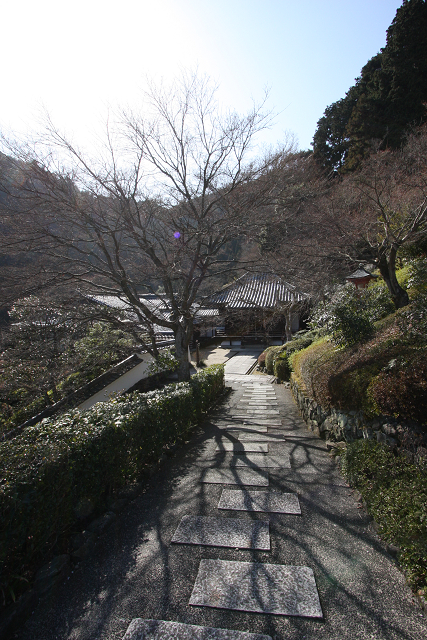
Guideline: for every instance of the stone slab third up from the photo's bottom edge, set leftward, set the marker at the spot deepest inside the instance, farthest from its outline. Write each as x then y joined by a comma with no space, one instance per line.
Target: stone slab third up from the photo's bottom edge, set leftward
223,532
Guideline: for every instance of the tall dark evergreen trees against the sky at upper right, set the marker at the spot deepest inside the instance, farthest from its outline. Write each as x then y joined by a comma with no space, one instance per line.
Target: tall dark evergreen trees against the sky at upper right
389,96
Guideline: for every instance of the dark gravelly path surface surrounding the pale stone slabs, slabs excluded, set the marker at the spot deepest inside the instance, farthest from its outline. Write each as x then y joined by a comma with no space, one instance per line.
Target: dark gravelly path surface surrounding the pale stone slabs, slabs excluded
135,571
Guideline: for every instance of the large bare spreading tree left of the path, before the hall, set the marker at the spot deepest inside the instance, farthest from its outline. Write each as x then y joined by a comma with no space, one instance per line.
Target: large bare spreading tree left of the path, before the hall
158,208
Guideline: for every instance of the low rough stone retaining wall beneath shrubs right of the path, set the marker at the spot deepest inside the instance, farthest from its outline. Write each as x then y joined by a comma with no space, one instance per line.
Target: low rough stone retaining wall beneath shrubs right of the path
341,426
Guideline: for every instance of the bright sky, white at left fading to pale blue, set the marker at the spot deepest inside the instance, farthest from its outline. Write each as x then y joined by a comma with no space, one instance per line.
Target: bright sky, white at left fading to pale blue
80,58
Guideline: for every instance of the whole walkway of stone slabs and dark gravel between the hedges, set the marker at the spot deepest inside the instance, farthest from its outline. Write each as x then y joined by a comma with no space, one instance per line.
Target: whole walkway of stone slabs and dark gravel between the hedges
249,533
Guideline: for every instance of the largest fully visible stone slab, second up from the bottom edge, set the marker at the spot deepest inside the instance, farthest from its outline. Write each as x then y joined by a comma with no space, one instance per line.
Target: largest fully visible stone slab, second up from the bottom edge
261,588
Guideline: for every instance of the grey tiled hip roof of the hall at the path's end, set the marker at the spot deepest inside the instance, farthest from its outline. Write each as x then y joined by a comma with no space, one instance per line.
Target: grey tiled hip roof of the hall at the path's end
261,290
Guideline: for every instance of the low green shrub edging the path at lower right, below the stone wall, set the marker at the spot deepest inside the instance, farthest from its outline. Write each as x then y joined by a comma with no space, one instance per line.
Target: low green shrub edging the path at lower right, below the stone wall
395,492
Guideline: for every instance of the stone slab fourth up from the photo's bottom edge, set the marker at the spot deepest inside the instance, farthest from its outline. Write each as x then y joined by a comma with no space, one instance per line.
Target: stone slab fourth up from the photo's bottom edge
264,501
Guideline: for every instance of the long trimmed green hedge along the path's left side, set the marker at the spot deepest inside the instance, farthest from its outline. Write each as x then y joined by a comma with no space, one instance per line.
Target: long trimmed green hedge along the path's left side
54,467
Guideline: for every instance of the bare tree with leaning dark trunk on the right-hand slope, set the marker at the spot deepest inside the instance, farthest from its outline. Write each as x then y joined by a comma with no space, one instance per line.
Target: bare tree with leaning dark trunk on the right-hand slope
382,209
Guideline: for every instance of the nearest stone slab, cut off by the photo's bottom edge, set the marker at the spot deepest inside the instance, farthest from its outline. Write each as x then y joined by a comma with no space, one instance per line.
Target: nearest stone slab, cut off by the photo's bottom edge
140,629
